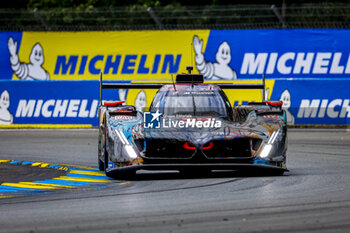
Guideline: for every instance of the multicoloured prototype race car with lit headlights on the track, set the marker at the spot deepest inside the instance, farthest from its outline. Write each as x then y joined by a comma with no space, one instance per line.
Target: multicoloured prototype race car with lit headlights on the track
191,127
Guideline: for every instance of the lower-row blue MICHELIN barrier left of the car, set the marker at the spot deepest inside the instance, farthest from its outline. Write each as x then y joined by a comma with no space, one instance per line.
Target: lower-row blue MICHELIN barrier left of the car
51,102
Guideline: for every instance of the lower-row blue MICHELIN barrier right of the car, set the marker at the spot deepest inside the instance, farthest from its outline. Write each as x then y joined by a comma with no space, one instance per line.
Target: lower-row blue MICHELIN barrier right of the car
314,101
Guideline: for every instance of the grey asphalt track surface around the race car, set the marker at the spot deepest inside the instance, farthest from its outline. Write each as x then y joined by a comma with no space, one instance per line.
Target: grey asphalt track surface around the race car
313,197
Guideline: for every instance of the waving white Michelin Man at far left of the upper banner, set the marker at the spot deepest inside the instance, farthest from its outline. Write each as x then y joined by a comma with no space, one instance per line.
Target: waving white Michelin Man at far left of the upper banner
31,71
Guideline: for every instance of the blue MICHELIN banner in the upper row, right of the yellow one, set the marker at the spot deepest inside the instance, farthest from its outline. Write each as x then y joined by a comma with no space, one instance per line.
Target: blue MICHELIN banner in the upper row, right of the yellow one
281,53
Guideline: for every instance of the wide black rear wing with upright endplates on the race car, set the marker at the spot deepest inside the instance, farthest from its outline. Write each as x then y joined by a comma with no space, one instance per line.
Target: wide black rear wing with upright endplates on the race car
110,85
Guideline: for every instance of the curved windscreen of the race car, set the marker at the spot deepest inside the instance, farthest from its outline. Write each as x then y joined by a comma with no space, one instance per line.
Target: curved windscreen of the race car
194,103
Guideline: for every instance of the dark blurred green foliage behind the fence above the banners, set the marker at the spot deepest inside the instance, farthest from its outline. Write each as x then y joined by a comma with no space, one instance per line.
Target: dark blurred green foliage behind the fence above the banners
77,15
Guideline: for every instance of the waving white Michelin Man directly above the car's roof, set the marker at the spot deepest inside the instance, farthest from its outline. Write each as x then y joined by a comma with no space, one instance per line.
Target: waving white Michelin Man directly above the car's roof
220,70
